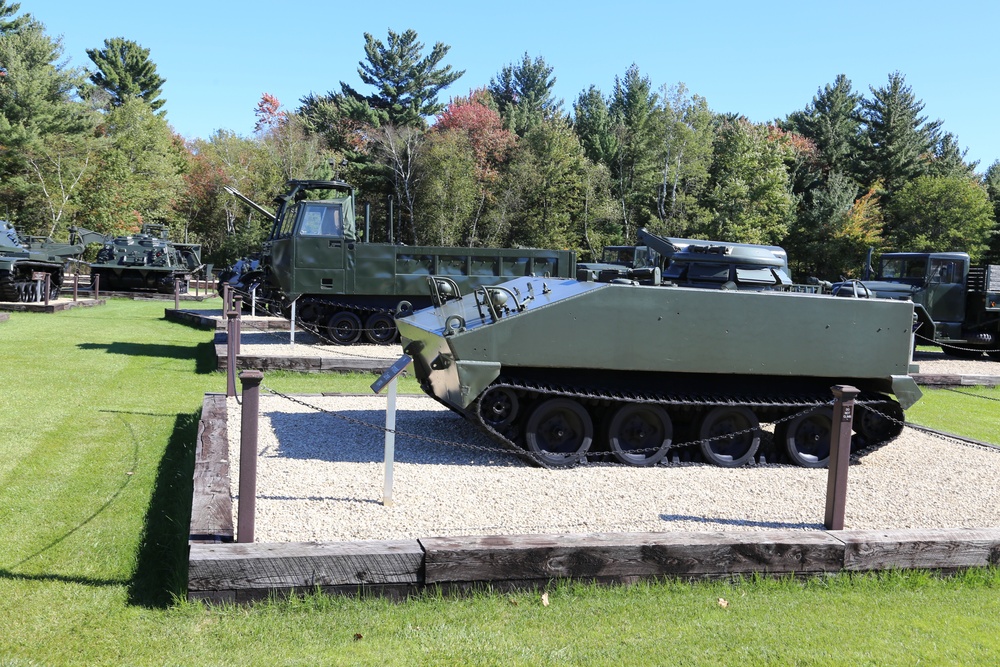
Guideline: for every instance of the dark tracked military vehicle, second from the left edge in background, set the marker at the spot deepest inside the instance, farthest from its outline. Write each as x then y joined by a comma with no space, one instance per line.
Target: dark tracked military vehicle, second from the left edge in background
147,261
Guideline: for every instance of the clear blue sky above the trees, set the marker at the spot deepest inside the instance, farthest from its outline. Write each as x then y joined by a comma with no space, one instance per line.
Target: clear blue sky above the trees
763,60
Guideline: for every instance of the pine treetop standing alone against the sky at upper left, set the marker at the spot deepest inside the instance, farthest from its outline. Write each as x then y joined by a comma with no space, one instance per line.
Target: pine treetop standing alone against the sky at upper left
125,71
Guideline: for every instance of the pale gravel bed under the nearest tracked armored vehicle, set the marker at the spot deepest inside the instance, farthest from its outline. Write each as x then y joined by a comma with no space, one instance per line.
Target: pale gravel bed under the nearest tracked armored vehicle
321,477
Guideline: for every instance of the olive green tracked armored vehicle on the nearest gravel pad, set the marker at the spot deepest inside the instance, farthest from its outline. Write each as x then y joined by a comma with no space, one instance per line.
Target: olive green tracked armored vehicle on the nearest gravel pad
563,369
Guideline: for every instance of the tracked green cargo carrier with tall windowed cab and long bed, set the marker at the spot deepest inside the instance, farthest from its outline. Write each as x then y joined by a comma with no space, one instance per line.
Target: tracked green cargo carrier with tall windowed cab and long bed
348,287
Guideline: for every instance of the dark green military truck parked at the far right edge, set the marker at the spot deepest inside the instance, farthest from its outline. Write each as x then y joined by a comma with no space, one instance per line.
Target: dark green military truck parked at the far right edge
957,305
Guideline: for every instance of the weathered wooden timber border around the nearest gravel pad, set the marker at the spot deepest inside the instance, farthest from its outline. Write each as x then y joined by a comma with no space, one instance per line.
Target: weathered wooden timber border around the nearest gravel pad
221,571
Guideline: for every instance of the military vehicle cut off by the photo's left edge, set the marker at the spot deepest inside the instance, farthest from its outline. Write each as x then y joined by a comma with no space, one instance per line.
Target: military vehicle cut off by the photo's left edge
23,263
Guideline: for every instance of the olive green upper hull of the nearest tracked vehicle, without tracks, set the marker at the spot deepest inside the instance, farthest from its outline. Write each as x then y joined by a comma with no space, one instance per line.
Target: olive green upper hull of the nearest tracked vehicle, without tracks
610,331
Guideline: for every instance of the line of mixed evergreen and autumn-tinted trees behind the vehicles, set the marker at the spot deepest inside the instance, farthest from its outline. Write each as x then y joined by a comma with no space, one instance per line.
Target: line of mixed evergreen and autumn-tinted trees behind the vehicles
504,164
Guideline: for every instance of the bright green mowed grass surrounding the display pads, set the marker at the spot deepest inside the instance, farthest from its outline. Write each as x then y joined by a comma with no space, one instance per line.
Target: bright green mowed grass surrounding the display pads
98,416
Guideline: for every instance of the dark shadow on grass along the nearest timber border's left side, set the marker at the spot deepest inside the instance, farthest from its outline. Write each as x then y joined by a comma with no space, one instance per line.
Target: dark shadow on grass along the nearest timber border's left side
161,568
